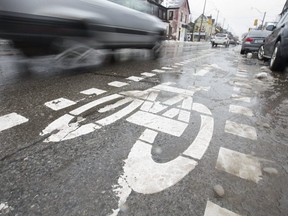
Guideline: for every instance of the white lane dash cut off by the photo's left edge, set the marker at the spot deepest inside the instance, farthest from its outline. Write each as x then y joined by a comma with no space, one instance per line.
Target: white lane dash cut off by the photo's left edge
11,120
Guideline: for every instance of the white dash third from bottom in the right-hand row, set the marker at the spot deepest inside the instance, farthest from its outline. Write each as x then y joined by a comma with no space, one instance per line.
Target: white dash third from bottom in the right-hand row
241,130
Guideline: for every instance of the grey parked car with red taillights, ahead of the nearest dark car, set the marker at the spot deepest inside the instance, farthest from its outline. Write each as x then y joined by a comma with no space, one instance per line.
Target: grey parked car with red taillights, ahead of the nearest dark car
253,40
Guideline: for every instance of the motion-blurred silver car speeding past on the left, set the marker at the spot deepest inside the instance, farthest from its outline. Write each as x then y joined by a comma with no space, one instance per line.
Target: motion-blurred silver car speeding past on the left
57,26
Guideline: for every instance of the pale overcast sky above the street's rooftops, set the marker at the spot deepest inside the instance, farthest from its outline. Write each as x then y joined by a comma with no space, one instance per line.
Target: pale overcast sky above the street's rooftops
238,14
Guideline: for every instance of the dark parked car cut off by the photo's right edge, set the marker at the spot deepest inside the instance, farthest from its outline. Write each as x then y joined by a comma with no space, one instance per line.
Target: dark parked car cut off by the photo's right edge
275,47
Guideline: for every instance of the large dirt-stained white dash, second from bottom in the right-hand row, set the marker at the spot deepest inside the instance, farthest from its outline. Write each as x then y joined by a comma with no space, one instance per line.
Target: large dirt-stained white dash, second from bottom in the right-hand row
241,165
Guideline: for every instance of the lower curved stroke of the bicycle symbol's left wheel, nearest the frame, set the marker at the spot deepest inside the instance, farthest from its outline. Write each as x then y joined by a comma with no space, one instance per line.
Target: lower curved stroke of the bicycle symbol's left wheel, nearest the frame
121,113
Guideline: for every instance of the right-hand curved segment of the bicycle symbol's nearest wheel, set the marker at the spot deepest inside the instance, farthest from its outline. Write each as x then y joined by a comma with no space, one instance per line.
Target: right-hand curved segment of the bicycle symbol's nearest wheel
200,144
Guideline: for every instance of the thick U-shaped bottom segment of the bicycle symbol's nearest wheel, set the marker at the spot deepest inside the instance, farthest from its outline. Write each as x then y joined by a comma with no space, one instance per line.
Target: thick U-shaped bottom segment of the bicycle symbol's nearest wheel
146,176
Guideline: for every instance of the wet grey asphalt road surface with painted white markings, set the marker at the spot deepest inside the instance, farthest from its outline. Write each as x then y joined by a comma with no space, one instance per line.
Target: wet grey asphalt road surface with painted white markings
139,163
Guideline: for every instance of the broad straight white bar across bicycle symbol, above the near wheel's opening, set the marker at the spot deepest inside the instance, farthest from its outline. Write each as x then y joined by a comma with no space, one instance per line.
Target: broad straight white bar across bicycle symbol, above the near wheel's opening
158,123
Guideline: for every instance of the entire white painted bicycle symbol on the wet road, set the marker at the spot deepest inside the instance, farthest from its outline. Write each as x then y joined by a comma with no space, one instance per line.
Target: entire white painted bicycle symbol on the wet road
172,116
